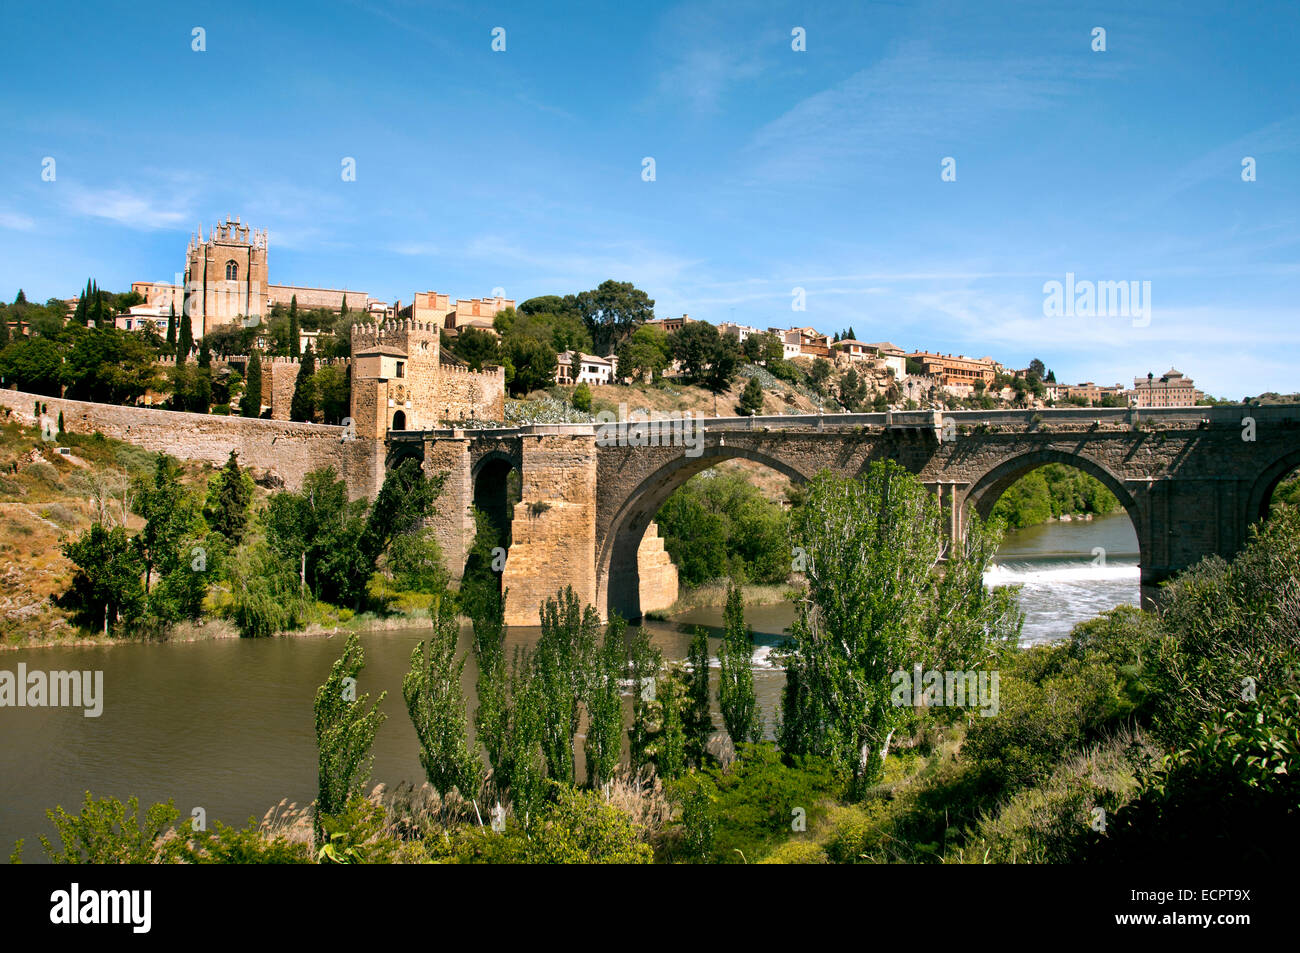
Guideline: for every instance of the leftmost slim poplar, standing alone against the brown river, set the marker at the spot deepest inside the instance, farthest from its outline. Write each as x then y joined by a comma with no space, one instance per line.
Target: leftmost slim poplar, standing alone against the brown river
346,726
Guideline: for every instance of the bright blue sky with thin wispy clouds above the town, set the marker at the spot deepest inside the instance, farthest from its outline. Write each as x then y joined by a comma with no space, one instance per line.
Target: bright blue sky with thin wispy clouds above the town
774,170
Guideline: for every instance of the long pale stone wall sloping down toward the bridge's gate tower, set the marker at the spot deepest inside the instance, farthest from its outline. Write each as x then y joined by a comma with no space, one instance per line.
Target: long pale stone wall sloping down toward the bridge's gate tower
283,449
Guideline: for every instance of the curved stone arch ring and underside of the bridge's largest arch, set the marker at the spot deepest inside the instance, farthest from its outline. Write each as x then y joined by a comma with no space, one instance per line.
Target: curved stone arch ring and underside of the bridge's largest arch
617,574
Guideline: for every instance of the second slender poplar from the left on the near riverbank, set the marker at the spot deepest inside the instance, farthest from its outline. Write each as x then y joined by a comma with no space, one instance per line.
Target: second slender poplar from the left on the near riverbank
437,708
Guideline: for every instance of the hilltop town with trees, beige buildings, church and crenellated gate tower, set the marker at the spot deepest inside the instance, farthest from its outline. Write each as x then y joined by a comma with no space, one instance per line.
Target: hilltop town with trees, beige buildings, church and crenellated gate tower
224,340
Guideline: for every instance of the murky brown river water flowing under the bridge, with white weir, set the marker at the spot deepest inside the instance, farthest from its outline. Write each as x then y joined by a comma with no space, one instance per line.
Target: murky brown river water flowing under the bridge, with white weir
227,726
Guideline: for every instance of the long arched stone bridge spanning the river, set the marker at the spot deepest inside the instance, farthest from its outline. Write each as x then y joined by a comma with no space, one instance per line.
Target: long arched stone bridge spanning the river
1191,480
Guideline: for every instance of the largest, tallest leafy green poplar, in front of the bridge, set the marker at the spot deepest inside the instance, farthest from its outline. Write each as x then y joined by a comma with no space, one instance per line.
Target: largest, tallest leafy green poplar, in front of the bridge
869,548
